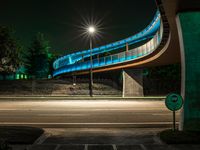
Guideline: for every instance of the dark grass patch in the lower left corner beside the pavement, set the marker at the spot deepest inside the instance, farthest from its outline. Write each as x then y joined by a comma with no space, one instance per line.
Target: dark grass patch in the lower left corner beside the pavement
20,135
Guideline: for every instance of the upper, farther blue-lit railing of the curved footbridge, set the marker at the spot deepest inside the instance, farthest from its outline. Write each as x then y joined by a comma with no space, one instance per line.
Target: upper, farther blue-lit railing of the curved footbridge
145,34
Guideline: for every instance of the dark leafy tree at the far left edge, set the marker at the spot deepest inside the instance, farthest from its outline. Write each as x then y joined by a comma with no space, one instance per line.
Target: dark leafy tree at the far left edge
9,51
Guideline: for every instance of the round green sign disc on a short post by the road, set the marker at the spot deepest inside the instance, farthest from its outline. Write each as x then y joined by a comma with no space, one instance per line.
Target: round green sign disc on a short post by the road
174,102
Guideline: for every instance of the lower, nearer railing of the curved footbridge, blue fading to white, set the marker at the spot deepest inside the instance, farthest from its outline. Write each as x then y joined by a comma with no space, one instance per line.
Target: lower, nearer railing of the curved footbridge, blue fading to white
122,57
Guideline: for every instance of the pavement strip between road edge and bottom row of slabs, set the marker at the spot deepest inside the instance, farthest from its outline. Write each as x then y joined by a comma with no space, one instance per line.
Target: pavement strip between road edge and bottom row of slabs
129,136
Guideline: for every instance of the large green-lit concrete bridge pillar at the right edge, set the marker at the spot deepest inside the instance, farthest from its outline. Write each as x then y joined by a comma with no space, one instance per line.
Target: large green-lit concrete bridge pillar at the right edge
189,35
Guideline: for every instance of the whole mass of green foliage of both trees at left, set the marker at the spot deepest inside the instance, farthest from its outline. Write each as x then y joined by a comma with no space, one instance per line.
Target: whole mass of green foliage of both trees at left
36,61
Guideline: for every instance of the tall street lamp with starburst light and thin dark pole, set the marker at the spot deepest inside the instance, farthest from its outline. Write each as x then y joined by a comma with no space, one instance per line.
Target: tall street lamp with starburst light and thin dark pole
91,31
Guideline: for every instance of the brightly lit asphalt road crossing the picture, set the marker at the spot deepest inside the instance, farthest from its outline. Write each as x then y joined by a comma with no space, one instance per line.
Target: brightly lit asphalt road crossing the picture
85,113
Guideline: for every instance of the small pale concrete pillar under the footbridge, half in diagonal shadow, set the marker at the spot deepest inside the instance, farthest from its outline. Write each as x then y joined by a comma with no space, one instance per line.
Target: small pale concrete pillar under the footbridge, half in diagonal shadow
132,83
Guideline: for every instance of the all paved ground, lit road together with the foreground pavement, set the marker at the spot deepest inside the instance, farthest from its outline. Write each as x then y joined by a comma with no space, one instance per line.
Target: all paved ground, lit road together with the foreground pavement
106,124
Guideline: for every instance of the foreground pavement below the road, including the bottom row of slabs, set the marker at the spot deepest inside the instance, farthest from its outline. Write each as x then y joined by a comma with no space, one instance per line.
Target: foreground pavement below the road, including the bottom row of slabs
102,139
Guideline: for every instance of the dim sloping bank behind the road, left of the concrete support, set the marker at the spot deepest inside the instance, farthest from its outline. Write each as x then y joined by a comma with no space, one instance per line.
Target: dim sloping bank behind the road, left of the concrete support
62,87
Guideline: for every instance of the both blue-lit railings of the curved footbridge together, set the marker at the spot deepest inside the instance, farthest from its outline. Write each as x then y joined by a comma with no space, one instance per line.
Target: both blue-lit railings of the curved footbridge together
71,64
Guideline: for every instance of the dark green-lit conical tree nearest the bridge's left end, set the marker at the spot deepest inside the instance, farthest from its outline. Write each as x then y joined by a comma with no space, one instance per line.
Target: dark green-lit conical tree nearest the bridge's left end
36,58
